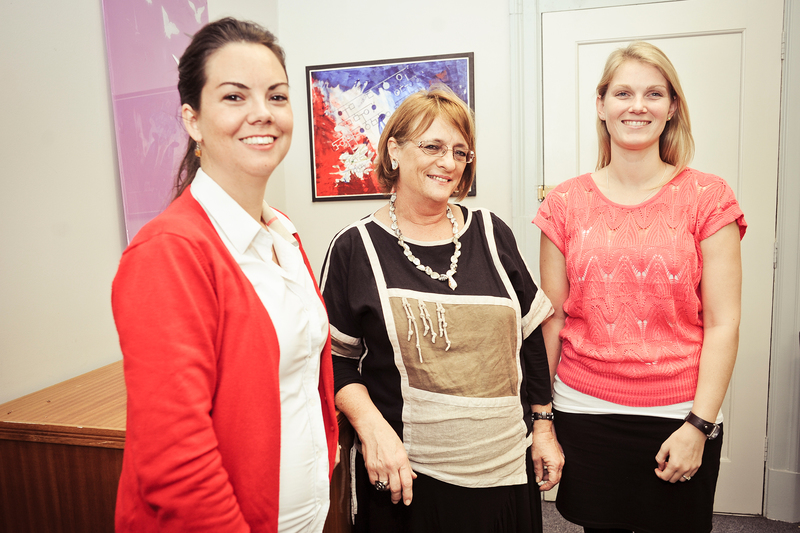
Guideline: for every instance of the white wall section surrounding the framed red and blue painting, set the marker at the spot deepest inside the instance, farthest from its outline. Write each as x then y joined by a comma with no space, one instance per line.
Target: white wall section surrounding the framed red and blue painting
325,32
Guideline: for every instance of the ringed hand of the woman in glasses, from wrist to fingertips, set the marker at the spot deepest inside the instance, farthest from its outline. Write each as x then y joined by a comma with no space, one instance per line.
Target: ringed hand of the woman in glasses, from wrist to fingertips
386,461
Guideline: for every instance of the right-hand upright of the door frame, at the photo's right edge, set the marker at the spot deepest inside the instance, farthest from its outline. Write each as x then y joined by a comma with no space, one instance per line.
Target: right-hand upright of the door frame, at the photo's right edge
782,483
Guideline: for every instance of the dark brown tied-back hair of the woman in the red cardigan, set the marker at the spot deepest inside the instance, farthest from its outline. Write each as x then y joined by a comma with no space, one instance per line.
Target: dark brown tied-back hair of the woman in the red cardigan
192,73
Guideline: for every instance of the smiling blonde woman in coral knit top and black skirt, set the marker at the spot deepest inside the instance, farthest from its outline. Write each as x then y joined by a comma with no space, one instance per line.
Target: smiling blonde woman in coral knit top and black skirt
641,260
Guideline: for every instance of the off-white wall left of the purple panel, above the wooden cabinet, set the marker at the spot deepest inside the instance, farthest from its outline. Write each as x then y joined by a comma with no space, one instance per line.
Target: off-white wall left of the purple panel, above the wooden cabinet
60,214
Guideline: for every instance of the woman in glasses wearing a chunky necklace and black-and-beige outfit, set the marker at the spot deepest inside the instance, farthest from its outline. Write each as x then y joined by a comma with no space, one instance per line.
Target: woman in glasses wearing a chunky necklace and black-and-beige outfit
439,359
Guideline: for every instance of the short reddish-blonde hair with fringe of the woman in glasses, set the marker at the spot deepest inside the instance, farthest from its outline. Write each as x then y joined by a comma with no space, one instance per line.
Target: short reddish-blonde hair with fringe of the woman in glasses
412,118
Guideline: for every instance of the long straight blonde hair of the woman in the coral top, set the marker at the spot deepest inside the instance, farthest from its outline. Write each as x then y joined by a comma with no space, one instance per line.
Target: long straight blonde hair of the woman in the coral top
676,145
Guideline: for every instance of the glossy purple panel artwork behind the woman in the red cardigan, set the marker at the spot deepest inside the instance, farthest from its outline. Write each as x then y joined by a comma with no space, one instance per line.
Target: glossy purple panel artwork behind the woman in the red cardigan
144,39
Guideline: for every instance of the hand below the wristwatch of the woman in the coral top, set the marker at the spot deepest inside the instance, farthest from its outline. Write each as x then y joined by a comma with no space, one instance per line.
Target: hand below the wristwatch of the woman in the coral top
681,454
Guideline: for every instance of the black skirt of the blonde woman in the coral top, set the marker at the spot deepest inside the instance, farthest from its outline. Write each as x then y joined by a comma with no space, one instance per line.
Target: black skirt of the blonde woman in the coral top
609,478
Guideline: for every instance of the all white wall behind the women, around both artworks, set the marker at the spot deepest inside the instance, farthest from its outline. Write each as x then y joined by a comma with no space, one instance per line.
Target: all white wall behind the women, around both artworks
61,225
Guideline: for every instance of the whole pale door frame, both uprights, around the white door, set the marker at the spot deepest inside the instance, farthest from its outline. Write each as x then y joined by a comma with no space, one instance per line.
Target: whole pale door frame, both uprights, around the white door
782,477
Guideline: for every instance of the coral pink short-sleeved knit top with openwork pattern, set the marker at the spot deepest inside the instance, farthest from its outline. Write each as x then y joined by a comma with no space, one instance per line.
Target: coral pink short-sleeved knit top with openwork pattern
634,318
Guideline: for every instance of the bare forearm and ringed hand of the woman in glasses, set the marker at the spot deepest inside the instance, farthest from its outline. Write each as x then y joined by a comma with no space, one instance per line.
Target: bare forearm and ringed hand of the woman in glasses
384,454
